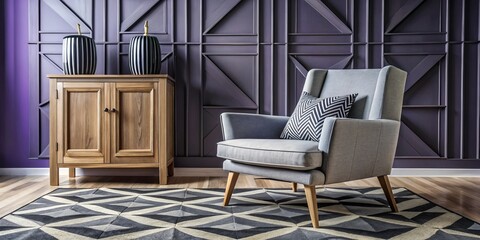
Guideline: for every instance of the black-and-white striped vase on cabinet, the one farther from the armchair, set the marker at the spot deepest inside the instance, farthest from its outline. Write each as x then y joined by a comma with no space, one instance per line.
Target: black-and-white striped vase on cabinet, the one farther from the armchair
79,55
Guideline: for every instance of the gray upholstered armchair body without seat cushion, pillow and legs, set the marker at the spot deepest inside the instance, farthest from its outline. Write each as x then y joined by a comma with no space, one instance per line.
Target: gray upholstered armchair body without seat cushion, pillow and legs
359,147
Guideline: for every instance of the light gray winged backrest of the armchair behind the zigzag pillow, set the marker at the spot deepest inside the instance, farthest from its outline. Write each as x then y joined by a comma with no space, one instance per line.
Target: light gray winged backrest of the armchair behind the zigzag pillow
380,91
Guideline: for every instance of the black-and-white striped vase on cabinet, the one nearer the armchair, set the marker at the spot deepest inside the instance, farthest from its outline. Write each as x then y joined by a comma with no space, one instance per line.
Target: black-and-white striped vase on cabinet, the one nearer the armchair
144,55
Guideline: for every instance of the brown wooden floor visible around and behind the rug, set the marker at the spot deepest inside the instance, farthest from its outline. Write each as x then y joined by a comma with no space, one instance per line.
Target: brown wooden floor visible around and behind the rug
461,195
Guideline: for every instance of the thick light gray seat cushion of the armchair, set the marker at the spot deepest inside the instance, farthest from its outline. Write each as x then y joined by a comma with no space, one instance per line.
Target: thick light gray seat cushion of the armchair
279,153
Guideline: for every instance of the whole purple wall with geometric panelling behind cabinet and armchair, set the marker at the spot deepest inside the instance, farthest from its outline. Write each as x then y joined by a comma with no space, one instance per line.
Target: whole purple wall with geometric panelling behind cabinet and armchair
252,56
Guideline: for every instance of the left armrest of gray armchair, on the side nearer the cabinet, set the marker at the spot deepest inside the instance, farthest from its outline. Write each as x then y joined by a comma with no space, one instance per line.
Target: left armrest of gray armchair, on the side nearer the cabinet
245,125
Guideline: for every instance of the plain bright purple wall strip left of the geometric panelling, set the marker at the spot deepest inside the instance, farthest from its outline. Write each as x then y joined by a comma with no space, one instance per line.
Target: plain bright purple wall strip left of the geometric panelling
15,89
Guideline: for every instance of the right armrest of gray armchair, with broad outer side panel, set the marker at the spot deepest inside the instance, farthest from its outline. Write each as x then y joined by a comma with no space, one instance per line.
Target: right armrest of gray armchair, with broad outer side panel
357,148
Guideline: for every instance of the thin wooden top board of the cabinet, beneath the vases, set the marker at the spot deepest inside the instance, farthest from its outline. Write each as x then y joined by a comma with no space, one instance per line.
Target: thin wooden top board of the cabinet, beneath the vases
108,77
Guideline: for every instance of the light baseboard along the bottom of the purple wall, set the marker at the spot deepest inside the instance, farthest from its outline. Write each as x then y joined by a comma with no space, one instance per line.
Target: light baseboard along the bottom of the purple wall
218,172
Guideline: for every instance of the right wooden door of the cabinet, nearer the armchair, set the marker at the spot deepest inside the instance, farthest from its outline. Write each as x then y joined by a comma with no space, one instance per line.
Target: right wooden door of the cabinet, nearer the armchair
134,132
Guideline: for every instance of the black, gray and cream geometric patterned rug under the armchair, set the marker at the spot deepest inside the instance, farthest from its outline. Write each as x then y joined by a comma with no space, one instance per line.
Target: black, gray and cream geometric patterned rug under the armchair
107,213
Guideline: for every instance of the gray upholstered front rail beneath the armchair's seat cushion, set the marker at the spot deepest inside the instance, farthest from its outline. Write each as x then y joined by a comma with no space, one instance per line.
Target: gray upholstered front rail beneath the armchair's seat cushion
309,177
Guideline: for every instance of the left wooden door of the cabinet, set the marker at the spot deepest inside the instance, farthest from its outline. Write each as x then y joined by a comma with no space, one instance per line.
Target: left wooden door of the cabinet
82,124
